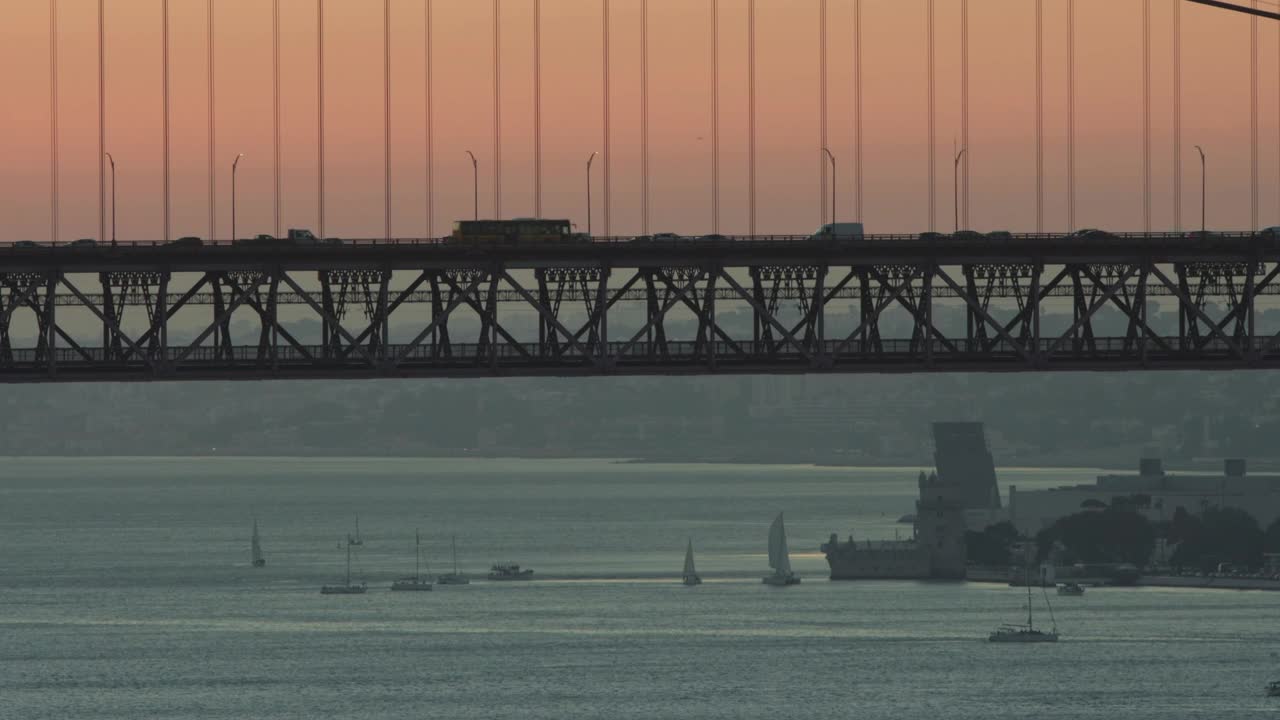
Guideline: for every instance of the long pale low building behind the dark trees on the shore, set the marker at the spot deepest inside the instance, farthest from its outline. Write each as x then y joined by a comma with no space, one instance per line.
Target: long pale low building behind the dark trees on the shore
1154,493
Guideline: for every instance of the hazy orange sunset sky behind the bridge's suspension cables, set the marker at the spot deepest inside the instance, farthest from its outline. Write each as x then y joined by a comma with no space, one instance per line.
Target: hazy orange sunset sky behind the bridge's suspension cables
1217,101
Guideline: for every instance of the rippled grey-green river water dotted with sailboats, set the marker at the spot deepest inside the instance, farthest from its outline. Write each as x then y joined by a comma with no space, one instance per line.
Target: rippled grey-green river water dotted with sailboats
126,591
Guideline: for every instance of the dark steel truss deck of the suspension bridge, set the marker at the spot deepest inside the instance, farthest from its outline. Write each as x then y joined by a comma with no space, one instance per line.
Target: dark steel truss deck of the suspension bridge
748,306
